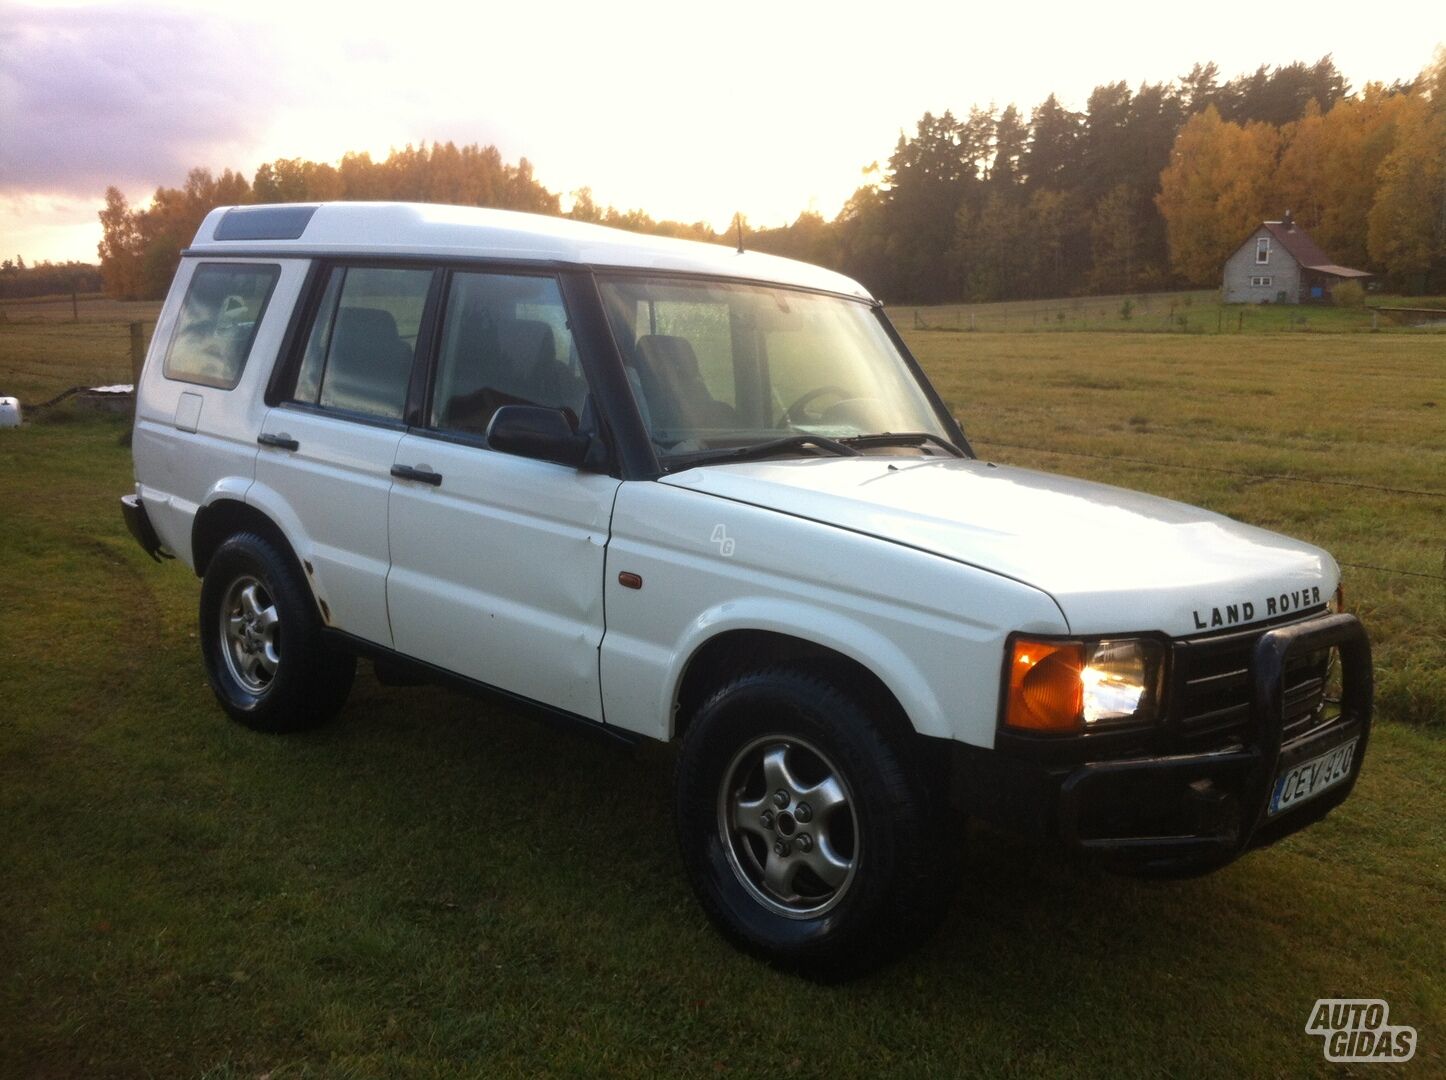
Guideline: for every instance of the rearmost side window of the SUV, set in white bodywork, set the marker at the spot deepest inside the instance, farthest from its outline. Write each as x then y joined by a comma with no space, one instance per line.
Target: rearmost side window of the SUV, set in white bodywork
223,309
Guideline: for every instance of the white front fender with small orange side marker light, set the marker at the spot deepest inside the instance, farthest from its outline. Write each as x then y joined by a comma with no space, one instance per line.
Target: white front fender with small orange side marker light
931,630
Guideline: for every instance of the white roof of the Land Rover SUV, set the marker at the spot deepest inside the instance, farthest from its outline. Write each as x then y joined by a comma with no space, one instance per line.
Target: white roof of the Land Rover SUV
459,232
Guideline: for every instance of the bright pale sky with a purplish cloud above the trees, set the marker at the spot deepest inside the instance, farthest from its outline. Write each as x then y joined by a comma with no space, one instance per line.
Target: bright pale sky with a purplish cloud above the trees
686,111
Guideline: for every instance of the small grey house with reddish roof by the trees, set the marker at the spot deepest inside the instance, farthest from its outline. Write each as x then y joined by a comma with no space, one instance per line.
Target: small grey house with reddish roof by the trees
1280,264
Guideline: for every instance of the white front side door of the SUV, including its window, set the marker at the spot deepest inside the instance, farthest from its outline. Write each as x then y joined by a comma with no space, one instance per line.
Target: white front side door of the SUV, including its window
498,560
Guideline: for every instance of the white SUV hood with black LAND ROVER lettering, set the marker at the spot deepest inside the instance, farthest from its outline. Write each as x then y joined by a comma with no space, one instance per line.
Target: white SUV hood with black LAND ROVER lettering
1114,560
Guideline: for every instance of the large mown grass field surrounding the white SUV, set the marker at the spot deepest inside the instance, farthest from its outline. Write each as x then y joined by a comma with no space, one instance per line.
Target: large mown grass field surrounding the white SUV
439,888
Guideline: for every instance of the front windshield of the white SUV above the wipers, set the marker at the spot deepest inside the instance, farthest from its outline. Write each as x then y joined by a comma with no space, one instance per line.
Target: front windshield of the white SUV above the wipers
721,367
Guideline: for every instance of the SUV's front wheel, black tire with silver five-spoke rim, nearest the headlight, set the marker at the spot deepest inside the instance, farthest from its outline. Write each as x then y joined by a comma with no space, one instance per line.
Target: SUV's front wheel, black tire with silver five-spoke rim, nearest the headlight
896,831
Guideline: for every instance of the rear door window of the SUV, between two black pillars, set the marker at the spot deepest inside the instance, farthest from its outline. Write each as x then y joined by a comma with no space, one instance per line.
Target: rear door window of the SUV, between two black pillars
362,342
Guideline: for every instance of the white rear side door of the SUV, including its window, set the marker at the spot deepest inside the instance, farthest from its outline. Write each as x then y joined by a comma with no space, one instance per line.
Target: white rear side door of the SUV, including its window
329,446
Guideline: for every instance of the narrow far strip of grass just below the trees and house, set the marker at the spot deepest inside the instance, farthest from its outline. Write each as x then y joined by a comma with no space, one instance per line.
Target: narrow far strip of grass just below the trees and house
1198,312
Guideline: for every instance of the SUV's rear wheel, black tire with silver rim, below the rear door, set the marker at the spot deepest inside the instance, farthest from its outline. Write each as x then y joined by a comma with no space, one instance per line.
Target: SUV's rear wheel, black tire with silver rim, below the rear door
273,670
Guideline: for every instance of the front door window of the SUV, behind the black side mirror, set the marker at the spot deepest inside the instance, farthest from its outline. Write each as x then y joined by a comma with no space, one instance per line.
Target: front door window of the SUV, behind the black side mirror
505,342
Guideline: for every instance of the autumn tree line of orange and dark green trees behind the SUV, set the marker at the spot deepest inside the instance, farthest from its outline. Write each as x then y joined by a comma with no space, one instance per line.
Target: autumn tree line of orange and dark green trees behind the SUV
1146,189
